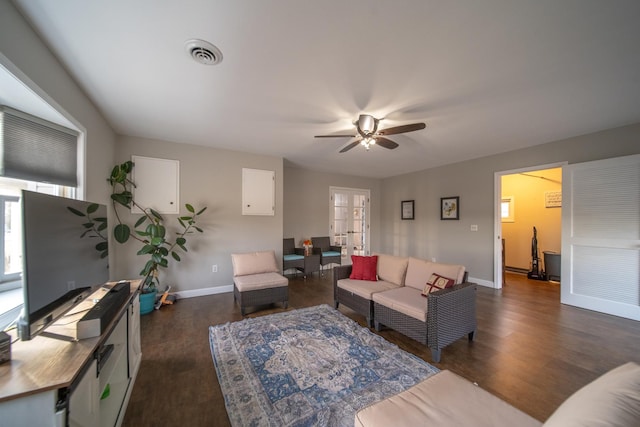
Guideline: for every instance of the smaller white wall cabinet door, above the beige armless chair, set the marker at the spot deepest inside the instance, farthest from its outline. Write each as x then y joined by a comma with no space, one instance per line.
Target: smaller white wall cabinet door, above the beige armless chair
258,192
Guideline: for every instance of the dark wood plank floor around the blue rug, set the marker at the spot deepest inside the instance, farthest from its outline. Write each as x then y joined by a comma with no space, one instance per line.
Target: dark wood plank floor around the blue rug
530,350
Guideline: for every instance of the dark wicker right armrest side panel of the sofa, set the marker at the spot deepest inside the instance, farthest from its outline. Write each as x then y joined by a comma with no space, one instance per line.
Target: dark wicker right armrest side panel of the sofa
451,313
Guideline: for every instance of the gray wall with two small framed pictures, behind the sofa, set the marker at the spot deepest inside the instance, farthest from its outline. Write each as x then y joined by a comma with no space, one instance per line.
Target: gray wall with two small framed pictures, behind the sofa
473,181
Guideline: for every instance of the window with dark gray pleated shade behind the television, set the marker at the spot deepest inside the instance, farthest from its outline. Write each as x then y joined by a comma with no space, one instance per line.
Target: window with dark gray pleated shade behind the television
35,155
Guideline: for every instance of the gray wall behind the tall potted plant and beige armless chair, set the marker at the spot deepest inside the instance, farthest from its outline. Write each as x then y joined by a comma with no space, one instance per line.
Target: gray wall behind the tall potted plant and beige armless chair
213,178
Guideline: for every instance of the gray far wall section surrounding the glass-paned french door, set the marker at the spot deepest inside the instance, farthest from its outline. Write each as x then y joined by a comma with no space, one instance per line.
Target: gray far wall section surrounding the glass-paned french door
307,204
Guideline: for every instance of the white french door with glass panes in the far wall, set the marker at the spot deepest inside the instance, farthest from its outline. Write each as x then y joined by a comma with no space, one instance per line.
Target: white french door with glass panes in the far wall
349,221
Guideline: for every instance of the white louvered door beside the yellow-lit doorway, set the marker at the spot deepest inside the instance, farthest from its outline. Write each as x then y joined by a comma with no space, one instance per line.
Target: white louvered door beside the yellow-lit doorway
601,236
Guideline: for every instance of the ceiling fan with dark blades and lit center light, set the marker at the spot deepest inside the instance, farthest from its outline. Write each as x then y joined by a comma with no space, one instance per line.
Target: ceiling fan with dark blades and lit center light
368,133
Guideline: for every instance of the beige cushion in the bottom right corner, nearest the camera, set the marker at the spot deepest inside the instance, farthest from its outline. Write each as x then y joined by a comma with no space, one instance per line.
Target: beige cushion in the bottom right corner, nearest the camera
612,400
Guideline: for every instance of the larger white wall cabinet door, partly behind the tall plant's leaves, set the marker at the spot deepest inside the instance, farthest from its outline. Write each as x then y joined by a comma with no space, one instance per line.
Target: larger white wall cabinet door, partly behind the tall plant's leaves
157,184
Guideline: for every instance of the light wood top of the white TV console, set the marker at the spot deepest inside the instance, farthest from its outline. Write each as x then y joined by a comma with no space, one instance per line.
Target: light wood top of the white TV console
44,363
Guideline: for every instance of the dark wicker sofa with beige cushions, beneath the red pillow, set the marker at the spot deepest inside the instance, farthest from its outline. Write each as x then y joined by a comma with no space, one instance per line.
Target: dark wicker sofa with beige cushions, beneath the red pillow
395,300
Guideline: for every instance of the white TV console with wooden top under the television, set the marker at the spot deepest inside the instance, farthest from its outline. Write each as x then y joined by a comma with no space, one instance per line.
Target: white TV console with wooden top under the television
58,383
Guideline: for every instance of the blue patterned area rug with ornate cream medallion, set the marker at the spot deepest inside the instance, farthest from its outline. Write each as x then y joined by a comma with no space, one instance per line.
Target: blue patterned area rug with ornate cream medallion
307,367
